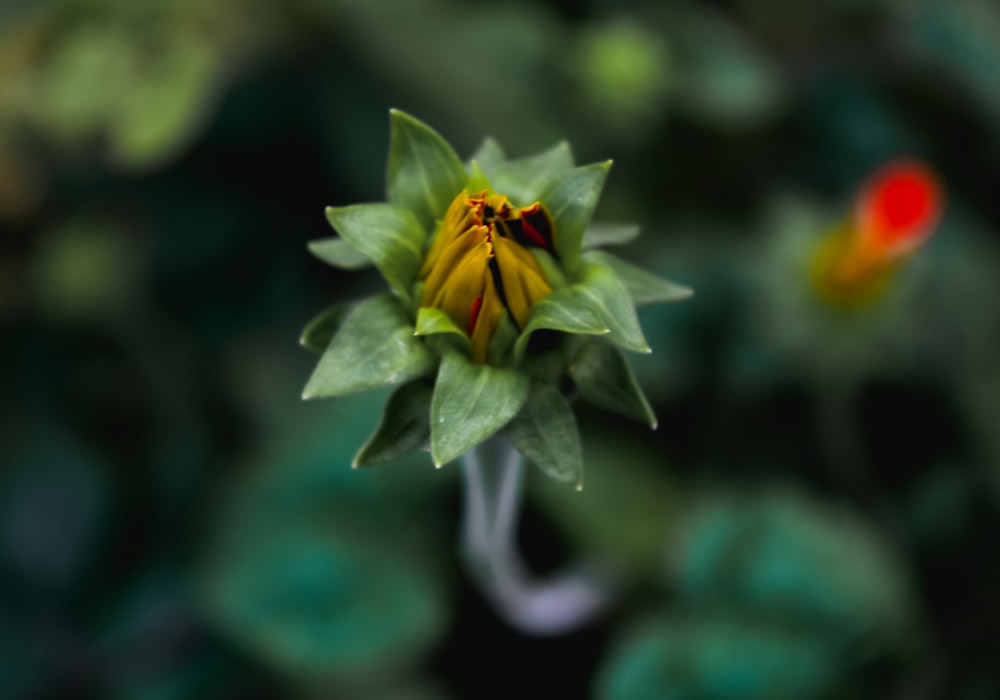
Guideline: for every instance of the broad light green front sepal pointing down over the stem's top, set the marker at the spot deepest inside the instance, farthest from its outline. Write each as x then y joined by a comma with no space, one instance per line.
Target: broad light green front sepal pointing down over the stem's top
470,403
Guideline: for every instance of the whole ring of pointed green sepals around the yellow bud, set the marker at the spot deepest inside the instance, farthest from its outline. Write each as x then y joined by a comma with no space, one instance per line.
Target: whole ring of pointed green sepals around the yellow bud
445,398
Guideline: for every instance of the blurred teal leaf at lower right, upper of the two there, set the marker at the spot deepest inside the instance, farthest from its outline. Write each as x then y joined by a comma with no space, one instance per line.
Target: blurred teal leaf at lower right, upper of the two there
796,561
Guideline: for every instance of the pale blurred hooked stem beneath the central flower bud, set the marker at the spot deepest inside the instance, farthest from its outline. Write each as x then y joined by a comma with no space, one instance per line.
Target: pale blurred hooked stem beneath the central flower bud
494,474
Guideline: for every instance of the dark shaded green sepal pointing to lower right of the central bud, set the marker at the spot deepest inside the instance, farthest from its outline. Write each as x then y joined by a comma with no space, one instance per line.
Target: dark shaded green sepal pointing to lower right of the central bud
605,379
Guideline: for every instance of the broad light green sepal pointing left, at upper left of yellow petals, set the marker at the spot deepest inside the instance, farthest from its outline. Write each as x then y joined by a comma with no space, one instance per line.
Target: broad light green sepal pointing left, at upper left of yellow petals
388,235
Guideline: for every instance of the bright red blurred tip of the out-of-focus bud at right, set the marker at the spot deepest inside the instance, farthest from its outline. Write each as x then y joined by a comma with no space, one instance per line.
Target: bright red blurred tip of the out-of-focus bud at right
900,204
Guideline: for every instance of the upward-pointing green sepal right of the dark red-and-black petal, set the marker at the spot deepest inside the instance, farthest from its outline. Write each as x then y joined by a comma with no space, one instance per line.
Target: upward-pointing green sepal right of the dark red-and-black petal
571,199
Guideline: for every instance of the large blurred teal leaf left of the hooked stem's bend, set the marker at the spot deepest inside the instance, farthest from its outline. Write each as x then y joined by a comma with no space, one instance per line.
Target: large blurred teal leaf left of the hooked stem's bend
324,602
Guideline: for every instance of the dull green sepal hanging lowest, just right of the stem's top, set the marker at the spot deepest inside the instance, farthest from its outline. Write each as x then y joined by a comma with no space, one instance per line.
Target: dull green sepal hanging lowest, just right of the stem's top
545,433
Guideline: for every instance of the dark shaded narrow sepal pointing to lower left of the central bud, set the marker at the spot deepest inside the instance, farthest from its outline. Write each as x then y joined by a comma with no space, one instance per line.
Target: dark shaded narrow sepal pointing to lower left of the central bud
405,426
